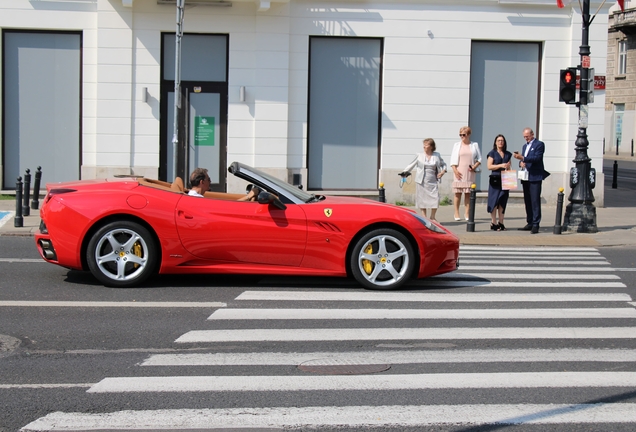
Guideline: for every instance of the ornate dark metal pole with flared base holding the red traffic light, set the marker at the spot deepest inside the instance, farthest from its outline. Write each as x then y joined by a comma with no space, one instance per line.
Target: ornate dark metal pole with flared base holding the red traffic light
580,213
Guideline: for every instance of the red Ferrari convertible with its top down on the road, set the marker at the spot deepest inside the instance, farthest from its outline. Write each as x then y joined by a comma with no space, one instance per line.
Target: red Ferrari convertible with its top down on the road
125,229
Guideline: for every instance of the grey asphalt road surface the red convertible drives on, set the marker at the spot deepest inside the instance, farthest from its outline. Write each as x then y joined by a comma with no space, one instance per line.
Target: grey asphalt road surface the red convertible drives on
65,349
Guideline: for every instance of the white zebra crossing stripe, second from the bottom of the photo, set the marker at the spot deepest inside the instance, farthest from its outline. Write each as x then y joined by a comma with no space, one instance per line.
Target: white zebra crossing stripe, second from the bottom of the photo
383,382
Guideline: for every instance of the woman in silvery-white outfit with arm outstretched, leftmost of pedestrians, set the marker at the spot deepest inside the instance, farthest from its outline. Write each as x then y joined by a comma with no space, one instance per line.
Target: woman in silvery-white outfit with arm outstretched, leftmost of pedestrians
430,168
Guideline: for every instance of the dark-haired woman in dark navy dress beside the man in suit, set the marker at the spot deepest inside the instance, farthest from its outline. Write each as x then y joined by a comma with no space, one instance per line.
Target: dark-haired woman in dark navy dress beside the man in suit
498,160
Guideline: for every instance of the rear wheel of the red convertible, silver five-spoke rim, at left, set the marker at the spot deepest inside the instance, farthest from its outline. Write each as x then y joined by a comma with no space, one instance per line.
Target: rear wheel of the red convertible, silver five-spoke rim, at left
122,254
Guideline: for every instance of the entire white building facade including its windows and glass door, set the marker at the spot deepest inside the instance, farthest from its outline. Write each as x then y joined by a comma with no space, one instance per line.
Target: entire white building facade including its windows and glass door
336,96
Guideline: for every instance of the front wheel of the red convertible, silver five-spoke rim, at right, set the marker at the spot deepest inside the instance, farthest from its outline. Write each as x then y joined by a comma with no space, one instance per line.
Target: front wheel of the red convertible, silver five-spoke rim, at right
382,259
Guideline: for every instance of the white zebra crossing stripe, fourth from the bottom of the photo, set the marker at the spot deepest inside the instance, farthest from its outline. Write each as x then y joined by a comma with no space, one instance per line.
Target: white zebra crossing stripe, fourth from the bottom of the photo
452,333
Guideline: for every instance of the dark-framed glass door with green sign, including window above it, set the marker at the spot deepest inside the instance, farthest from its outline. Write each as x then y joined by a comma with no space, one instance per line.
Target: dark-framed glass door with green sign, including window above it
202,131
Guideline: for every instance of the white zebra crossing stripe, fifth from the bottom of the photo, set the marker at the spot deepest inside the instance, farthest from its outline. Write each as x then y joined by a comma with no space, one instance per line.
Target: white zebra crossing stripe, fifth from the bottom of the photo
396,314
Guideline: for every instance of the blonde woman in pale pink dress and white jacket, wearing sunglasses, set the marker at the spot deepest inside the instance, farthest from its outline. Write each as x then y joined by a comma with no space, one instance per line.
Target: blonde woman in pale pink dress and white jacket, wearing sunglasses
465,160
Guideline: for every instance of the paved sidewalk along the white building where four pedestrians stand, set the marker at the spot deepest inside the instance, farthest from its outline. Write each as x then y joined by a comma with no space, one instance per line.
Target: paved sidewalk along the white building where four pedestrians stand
616,227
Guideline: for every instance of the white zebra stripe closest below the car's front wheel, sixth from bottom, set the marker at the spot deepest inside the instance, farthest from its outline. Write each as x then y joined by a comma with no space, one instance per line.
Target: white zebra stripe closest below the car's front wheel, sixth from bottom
379,296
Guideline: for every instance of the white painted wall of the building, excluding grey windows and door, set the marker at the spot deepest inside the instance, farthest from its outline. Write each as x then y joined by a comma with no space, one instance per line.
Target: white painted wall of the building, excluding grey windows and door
425,88
